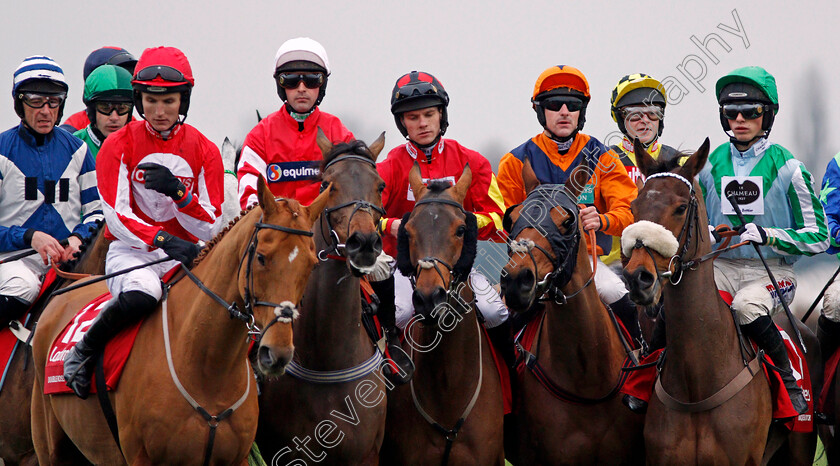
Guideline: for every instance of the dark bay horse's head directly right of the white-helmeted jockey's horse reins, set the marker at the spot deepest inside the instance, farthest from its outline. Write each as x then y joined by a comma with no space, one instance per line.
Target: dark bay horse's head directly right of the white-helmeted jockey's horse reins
354,207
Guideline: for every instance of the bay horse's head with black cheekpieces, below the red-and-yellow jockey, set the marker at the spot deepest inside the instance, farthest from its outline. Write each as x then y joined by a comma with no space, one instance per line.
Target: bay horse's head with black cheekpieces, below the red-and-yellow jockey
437,243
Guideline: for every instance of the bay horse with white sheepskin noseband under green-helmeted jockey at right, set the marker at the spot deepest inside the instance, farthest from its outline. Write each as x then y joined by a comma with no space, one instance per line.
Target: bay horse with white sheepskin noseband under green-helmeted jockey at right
703,353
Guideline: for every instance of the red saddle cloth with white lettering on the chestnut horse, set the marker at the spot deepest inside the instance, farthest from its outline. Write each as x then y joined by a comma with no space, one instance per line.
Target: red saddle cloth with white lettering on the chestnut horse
116,351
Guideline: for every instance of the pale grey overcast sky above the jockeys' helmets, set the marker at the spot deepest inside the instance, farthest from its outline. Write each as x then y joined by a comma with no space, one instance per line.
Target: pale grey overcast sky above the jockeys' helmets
486,53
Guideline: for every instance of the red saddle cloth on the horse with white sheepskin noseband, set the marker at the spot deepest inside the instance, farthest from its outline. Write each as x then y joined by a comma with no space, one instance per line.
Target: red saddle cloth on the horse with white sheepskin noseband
641,382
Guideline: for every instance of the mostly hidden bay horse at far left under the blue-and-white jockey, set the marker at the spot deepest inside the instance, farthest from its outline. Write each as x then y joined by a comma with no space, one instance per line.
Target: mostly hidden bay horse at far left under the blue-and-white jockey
15,397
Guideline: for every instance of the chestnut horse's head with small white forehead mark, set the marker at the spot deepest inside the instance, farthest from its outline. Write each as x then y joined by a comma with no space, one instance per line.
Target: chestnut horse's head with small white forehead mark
274,270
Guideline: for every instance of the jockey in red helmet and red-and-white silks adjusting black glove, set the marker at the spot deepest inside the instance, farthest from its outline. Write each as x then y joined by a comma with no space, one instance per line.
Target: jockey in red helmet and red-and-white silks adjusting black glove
162,186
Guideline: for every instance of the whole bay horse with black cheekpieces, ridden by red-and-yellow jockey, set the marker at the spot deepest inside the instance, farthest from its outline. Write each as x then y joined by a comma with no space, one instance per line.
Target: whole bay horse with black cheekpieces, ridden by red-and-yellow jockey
452,411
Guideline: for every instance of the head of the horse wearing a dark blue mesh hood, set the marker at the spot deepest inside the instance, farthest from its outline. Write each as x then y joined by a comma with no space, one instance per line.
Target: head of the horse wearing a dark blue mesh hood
544,239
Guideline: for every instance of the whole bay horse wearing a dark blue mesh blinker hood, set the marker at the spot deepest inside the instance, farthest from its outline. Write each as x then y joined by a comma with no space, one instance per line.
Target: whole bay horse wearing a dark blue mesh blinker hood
567,409
